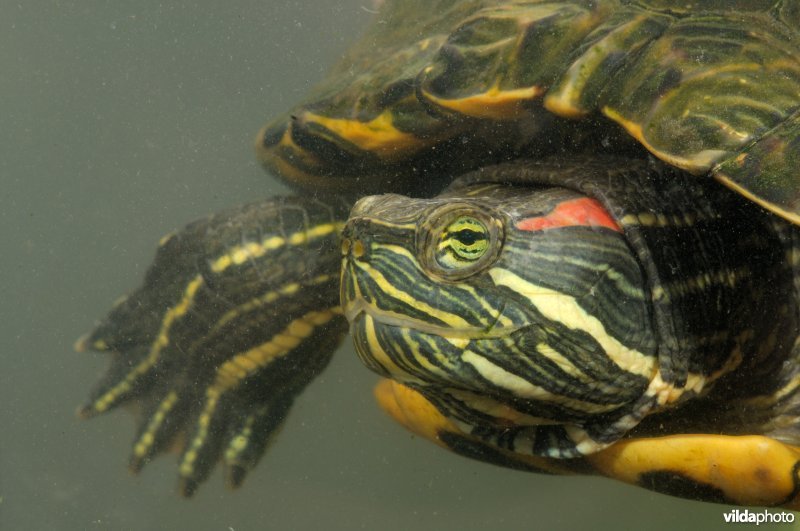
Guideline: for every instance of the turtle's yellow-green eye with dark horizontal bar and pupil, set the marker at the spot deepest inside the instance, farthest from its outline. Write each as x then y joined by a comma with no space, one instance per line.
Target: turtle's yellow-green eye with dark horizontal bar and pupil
462,242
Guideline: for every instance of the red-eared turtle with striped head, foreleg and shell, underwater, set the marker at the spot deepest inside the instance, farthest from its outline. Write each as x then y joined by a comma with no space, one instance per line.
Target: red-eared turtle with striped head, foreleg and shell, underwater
564,232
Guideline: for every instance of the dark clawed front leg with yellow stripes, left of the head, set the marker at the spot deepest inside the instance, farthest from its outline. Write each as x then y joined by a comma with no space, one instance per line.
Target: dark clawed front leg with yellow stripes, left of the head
236,315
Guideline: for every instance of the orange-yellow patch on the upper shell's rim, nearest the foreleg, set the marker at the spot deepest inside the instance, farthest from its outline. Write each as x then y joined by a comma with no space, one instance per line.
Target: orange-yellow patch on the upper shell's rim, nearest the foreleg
378,136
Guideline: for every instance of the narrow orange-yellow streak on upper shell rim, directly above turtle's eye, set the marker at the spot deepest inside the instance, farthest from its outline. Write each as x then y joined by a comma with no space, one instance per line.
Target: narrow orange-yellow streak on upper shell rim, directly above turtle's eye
494,104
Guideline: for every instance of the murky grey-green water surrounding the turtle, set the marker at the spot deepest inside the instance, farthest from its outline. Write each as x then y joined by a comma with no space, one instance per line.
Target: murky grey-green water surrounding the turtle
121,123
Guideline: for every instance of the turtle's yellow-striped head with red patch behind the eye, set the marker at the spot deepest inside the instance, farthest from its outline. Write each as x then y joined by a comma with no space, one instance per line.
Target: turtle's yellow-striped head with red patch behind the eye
508,308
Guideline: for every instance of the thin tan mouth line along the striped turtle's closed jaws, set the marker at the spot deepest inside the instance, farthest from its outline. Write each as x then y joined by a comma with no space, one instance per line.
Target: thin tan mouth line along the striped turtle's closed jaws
358,308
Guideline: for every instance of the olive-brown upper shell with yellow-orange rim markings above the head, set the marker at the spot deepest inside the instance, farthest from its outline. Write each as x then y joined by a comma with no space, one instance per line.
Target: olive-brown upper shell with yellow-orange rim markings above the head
712,88
